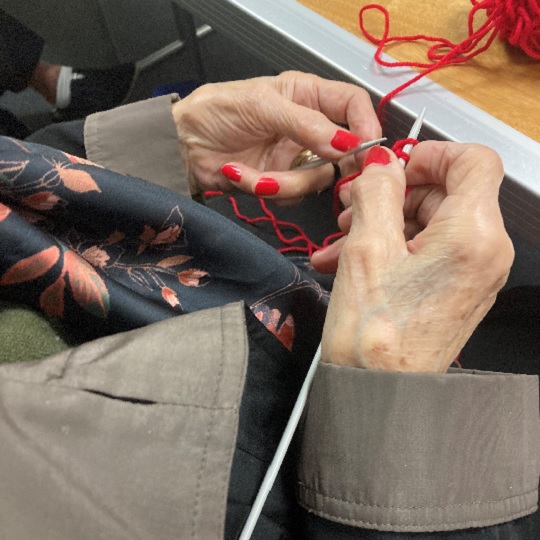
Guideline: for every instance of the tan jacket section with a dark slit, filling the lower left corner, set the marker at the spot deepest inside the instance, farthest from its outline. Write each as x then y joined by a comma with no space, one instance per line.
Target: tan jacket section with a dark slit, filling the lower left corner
129,436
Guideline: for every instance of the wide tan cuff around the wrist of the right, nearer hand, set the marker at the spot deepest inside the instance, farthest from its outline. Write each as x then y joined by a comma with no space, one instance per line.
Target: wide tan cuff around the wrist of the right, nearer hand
420,452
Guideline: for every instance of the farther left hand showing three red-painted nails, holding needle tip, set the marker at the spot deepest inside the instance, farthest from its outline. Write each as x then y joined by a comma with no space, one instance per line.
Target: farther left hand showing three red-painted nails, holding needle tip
245,134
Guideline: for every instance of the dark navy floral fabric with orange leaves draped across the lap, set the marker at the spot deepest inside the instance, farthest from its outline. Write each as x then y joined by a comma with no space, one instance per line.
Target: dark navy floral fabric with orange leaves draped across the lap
81,243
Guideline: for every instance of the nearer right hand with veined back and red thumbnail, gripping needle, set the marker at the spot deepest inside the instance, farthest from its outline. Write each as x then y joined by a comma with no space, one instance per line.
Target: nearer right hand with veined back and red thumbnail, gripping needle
410,305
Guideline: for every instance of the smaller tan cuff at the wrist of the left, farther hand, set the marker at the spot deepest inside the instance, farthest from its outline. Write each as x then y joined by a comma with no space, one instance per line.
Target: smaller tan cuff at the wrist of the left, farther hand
139,140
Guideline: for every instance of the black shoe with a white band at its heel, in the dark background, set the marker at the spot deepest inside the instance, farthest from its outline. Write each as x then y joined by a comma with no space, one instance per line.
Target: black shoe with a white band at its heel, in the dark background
86,91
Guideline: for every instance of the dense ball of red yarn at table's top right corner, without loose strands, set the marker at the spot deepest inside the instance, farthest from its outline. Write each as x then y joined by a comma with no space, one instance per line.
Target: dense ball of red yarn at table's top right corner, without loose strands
518,22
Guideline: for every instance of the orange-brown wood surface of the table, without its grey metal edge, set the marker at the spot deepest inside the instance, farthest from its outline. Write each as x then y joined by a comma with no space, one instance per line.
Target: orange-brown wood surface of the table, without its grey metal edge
502,81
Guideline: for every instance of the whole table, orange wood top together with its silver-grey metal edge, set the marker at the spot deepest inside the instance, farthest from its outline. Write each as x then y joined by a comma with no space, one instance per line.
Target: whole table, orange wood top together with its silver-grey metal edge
323,39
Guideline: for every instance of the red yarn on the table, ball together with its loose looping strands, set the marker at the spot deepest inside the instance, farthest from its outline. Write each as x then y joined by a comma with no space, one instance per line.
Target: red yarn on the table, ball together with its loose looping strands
516,21
